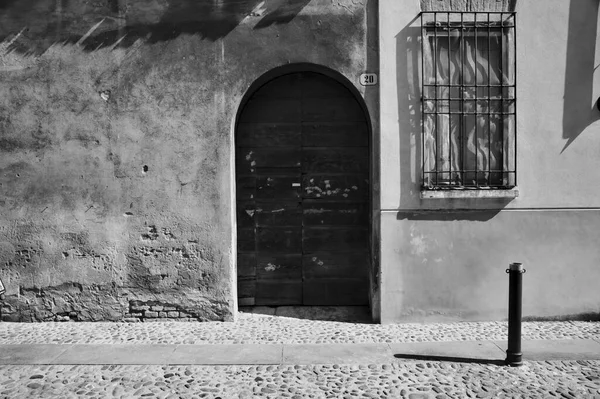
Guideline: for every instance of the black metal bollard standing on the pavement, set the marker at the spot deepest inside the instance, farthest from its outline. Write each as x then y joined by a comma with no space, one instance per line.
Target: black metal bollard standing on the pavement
515,296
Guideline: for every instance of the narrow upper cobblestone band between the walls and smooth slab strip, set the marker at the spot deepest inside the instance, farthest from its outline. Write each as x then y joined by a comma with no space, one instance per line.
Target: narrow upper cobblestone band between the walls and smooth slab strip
262,329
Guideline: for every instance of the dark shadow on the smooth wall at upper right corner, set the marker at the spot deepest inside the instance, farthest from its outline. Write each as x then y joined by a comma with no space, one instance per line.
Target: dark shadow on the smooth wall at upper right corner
579,107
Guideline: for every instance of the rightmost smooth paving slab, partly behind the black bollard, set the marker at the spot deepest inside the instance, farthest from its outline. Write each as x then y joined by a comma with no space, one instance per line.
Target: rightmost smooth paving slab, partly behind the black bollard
564,349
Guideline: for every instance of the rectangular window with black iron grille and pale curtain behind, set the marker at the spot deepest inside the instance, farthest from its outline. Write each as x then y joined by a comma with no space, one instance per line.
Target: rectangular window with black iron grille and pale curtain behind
468,62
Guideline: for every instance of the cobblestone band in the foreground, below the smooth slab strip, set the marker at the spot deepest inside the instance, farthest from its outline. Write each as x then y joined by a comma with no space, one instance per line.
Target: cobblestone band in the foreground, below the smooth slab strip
406,379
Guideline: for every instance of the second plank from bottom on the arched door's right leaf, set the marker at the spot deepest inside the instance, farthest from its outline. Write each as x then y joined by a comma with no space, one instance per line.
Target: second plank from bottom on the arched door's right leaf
335,265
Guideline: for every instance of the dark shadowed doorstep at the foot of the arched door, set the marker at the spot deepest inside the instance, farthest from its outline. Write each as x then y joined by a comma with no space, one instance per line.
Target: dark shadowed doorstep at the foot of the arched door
344,314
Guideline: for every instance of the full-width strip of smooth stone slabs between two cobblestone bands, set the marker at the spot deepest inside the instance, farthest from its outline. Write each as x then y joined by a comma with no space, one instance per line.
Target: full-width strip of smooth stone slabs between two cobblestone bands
298,354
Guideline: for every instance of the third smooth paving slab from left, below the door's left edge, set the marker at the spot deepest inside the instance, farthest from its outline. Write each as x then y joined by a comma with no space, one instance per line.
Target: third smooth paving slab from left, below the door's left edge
226,354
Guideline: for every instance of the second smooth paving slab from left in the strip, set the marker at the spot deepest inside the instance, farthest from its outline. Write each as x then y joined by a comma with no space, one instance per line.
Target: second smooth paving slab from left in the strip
115,354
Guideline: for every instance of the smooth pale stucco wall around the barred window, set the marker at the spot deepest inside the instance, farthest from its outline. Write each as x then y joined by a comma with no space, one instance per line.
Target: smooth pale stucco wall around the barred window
440,264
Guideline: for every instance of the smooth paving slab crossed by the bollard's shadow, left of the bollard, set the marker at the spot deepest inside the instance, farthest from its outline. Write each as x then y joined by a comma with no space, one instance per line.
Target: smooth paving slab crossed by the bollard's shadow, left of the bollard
477,350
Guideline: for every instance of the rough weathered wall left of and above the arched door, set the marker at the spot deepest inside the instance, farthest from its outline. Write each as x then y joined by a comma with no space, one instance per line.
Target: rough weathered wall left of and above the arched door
115,146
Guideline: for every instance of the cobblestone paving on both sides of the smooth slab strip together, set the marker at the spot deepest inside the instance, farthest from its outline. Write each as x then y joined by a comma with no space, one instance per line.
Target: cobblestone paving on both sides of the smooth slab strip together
399,378
